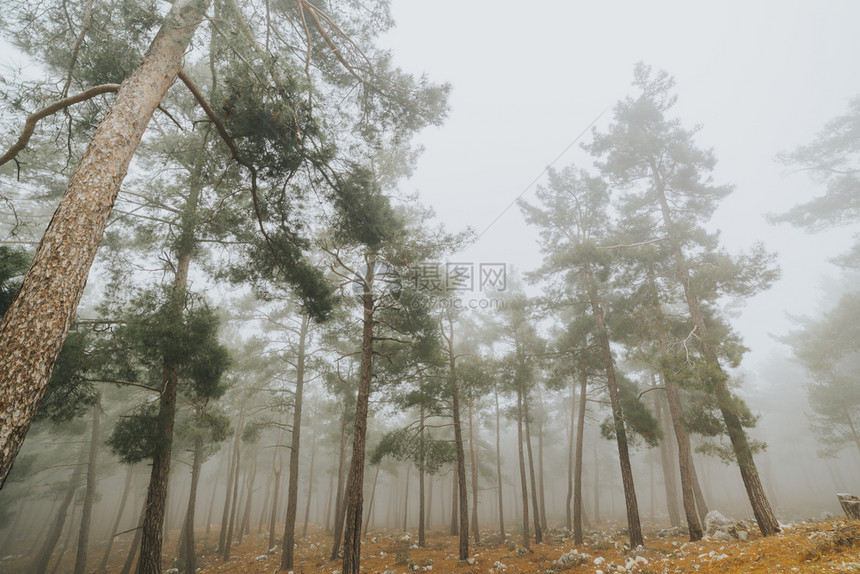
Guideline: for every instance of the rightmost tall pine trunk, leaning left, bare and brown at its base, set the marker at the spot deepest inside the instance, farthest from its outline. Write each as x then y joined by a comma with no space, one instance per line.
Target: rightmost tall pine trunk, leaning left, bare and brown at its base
762,510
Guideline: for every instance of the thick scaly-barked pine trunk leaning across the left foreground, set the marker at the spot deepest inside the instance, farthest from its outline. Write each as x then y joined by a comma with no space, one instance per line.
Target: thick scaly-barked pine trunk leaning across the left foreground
35,326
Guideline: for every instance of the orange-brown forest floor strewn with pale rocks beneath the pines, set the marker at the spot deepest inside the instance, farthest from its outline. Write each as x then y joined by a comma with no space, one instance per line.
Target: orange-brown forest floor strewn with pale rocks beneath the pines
824,546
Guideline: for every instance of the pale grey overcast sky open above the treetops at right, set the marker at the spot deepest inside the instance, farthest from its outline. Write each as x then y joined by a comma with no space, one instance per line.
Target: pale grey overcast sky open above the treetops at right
759,77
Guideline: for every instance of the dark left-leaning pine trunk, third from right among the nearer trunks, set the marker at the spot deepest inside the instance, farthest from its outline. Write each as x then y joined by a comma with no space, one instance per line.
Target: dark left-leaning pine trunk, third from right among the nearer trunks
633,524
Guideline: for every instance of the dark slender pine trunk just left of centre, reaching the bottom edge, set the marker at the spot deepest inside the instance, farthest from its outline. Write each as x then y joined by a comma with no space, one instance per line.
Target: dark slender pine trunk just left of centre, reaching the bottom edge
355,483
